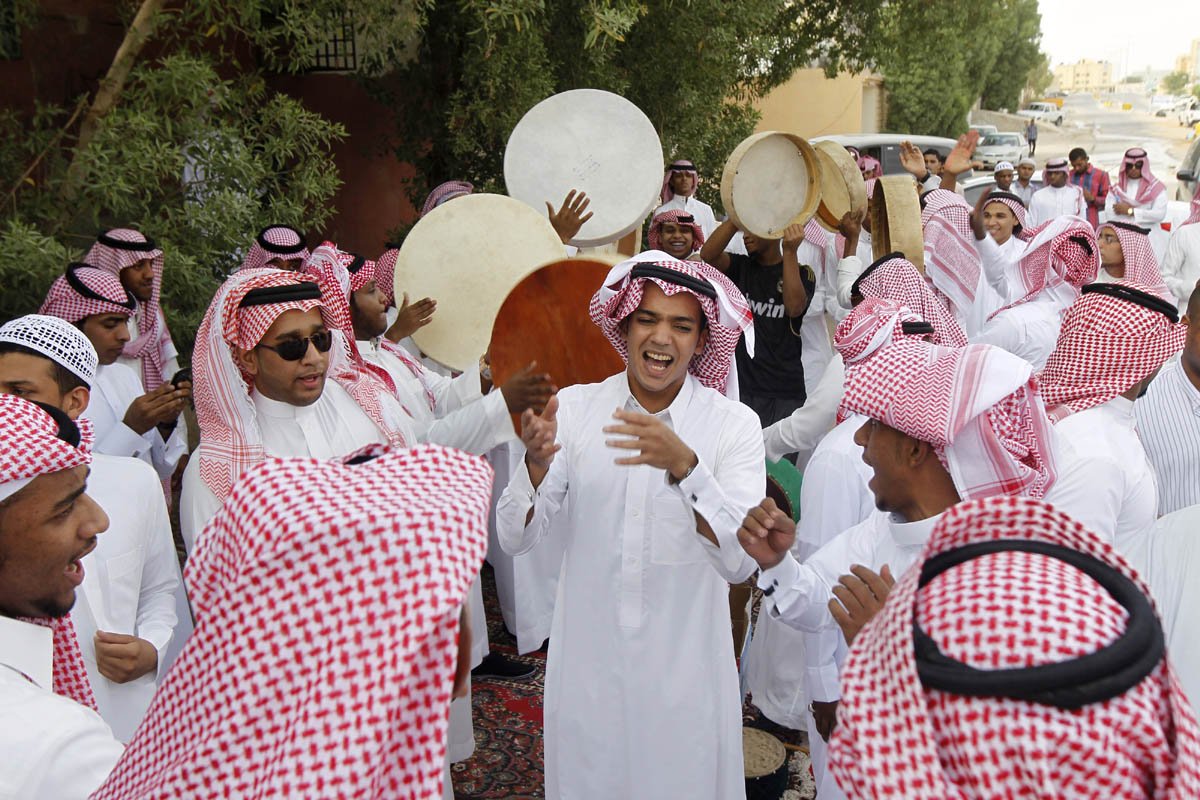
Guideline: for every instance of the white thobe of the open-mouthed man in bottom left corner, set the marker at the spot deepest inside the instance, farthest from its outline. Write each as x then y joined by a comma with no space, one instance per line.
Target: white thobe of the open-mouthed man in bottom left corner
51,748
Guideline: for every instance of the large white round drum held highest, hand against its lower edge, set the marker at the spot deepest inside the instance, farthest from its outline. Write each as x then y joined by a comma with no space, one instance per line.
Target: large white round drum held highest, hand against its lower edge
591,141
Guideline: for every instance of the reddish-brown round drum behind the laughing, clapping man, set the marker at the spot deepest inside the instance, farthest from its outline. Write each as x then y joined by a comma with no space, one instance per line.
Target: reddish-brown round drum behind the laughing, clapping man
545,320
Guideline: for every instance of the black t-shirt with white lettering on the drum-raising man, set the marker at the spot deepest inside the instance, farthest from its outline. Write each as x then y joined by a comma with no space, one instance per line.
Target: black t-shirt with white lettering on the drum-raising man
776,370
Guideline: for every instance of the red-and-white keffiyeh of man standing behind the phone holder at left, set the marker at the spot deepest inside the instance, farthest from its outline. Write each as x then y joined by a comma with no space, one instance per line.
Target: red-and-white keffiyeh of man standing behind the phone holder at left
153,334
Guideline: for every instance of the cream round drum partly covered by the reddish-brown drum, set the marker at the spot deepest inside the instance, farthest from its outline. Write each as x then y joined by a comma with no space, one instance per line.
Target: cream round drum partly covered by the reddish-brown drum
469,255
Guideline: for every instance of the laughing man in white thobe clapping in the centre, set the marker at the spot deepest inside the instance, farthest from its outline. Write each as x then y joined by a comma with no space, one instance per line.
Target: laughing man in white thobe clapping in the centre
641,688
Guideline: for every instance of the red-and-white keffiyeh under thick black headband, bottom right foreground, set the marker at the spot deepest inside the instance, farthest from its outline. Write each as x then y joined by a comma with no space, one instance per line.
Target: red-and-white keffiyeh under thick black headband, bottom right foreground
1010,610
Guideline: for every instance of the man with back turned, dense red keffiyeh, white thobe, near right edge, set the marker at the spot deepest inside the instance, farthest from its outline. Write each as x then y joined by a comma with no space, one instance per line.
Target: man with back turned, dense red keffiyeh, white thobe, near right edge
1114,340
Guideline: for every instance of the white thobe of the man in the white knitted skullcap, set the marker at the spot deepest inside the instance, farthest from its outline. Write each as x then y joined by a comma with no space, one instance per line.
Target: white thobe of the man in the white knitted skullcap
130,586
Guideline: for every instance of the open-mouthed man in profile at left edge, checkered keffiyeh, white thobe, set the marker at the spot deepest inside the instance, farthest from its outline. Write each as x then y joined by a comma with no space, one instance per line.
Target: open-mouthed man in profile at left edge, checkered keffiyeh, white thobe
53,747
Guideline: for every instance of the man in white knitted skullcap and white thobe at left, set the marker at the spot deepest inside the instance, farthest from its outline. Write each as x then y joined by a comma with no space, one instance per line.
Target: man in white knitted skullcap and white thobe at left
131,590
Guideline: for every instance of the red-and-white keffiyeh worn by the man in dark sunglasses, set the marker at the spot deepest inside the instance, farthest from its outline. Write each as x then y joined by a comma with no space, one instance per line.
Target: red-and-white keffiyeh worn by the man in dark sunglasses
230,434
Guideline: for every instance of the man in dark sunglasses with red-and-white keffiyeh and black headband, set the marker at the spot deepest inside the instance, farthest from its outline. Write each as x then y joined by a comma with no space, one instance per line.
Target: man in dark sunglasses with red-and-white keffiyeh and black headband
273,378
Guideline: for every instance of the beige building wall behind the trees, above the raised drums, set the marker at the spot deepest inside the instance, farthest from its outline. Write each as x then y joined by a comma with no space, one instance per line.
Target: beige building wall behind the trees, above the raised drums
812,105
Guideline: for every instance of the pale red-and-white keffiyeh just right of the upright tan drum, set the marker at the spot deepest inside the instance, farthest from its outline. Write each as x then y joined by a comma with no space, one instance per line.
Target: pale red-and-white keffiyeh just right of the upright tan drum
952,260
